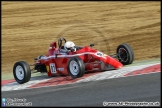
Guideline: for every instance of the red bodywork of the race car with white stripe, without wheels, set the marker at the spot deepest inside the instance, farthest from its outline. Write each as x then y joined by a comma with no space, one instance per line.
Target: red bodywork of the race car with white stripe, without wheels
56,63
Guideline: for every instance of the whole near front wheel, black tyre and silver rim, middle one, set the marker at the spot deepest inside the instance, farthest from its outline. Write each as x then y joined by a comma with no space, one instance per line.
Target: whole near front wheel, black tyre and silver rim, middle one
76,67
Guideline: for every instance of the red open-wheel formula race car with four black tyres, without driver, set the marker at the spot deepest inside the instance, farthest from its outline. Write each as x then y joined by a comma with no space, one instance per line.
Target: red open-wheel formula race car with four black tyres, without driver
74,63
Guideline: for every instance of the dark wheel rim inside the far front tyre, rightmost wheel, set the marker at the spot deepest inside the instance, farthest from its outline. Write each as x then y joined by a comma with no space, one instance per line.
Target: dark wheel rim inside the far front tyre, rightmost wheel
123,55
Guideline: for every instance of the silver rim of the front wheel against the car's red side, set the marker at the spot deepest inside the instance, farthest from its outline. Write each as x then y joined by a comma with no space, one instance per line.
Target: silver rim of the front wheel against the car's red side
74,68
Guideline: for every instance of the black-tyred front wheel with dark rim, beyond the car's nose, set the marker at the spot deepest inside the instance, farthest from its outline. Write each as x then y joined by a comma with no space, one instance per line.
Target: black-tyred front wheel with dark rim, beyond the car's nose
125,54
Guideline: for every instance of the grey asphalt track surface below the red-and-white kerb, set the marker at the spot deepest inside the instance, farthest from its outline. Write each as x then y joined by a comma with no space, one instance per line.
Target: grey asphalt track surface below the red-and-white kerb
137,88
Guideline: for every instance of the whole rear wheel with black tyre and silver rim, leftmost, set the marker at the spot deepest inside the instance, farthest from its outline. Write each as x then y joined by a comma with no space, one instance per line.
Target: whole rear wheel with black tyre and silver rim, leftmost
21,72
